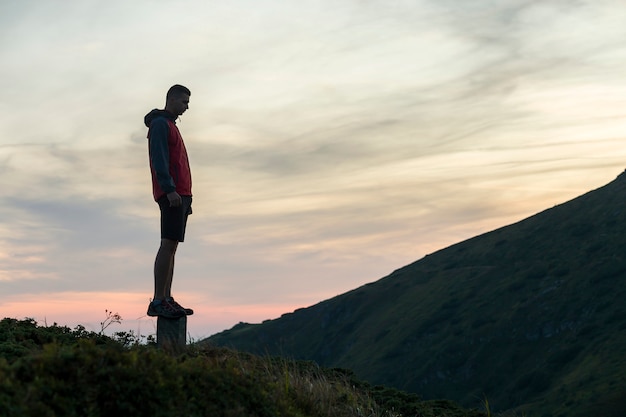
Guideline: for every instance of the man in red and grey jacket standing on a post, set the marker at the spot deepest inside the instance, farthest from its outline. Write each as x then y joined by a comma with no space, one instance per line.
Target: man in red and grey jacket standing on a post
171,187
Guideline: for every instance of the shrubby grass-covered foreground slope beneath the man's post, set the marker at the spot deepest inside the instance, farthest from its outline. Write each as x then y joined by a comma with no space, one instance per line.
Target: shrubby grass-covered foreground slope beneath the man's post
55,371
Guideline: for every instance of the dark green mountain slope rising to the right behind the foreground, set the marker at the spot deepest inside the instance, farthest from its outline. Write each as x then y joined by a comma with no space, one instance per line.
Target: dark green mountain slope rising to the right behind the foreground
531,316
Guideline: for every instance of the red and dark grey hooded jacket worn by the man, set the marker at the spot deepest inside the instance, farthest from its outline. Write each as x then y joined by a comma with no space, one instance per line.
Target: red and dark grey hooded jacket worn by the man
169,163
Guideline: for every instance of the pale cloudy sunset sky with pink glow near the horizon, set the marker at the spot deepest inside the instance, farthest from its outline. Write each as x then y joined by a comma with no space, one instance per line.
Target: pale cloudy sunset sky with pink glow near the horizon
331,142
